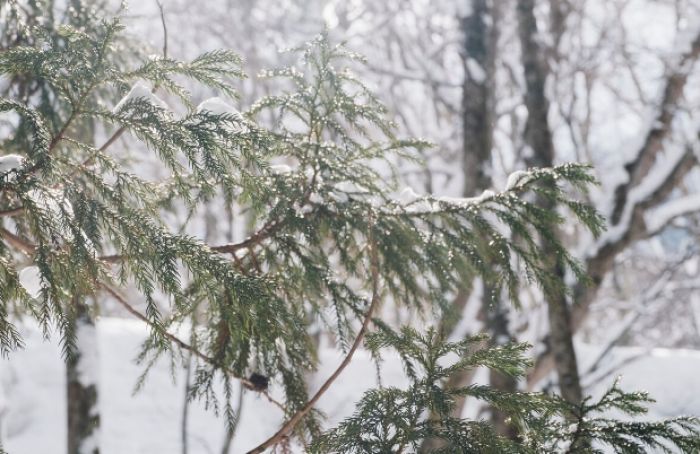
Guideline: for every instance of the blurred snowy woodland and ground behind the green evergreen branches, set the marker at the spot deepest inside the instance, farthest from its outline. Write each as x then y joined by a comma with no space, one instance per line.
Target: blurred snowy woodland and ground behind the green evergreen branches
489,89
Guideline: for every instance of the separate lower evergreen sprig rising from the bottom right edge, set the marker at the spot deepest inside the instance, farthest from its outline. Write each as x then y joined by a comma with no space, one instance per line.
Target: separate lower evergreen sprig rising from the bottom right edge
393,420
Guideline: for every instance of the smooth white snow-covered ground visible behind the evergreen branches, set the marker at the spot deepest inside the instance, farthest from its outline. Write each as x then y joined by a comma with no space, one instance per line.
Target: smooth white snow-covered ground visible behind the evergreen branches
32,414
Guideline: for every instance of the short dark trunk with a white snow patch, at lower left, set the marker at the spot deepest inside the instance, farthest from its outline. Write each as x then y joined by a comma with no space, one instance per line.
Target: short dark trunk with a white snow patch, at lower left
81,382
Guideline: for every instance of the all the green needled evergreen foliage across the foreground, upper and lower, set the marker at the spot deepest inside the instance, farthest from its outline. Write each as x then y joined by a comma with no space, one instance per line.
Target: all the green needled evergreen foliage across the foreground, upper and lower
331,241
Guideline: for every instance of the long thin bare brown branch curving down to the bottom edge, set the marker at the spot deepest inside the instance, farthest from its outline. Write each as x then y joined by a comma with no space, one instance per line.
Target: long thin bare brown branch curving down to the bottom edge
287,427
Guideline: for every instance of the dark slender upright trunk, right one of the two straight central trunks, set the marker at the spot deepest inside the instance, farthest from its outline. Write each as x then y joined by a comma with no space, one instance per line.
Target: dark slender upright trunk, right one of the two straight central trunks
538,137
